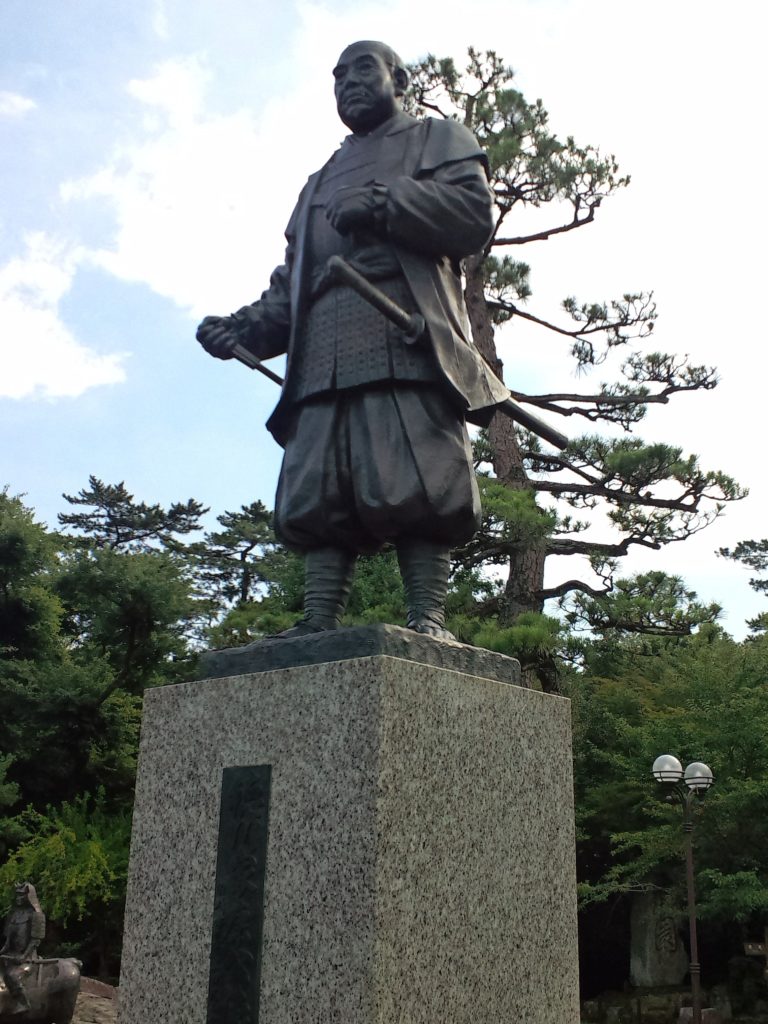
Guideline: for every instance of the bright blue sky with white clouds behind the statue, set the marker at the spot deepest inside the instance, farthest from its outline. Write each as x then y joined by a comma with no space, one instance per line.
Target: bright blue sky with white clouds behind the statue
153,151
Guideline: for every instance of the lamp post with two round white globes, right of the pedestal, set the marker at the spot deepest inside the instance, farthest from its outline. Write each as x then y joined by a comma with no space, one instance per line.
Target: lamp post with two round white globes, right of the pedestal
686,787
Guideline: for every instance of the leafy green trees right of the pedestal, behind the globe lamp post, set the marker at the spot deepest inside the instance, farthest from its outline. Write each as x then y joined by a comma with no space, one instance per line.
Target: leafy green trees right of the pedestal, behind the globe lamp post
701,699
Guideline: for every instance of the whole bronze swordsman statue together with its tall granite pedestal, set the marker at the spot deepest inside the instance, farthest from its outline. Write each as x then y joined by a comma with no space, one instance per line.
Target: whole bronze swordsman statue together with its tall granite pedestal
371,826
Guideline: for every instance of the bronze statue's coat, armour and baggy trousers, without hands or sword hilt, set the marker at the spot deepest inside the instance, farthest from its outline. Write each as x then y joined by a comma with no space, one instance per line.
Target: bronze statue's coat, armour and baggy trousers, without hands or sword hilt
374,429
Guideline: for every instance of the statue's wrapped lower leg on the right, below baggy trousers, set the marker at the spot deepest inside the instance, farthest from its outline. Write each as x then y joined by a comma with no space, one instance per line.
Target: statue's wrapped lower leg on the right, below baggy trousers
425,568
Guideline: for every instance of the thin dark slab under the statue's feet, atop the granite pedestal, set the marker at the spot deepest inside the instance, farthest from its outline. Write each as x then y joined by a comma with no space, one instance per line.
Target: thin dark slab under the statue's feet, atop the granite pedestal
360,642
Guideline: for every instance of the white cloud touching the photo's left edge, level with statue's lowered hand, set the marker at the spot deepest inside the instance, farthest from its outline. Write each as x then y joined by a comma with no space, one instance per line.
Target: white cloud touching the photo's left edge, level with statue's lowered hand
39,356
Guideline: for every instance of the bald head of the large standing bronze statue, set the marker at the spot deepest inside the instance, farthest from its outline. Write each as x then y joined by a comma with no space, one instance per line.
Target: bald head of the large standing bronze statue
370,80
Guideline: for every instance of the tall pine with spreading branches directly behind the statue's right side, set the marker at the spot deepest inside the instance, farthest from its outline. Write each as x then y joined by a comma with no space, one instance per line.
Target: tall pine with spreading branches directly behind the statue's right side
653,495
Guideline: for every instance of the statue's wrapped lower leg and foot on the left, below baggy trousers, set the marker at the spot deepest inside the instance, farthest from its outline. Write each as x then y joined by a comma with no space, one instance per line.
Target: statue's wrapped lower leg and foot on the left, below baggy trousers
328,580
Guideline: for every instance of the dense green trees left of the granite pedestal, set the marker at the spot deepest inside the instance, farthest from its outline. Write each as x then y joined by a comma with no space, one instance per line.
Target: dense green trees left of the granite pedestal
90,622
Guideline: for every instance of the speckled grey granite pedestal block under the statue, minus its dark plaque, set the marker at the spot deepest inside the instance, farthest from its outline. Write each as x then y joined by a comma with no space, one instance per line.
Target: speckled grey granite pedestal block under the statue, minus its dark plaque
421,854
